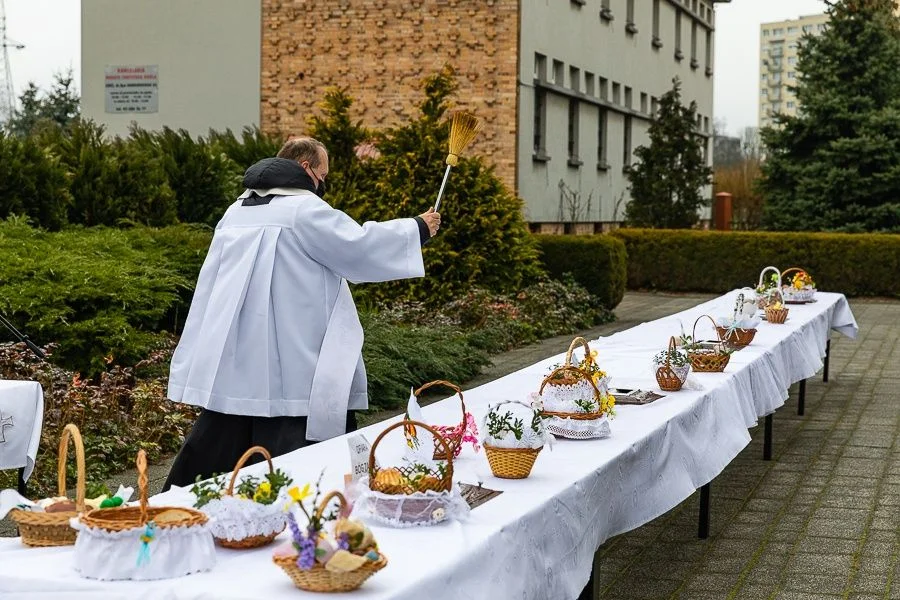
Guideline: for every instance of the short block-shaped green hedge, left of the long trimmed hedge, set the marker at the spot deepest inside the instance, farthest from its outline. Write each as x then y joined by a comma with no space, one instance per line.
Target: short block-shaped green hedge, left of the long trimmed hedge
597,262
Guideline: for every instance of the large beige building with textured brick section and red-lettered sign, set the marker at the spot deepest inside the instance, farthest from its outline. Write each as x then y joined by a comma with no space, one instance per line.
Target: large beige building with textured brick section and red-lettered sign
567,88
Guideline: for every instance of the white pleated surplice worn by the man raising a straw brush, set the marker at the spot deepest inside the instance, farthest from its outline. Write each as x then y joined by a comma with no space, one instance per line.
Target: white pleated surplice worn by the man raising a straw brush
272,329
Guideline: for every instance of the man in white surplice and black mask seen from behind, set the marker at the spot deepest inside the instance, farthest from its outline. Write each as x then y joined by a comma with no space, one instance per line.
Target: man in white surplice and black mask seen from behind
271,349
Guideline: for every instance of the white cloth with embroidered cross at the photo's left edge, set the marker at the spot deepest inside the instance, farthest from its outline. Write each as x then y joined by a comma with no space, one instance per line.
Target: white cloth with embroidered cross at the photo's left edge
21,418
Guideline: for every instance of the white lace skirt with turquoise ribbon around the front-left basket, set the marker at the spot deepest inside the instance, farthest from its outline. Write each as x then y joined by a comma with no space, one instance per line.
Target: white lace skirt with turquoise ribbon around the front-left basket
113,555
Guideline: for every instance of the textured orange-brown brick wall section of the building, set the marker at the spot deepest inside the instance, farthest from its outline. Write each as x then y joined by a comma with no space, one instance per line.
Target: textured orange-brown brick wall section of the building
380,50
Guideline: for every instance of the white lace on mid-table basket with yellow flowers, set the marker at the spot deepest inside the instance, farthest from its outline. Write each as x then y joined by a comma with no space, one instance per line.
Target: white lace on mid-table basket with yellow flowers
561,398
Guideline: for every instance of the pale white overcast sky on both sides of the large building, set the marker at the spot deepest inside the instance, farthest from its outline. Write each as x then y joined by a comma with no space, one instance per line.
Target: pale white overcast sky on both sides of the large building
51,30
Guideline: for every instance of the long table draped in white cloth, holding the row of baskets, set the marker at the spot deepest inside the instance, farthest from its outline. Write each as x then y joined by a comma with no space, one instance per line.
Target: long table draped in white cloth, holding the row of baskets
538,538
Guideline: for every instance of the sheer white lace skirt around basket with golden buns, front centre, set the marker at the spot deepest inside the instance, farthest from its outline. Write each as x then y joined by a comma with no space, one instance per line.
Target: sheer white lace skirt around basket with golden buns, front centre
409,510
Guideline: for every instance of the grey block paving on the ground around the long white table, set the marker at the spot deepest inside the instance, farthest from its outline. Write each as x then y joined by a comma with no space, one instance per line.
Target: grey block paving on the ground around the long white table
819,521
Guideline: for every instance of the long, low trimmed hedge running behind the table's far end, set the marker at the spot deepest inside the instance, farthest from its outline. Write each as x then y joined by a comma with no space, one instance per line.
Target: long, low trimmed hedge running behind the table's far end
714,261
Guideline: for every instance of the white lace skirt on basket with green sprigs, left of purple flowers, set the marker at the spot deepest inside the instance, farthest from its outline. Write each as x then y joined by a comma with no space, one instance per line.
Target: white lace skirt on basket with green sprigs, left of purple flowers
235,519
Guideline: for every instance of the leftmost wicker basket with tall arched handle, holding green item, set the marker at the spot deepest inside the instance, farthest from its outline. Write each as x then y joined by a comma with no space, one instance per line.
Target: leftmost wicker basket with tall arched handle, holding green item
53,529
